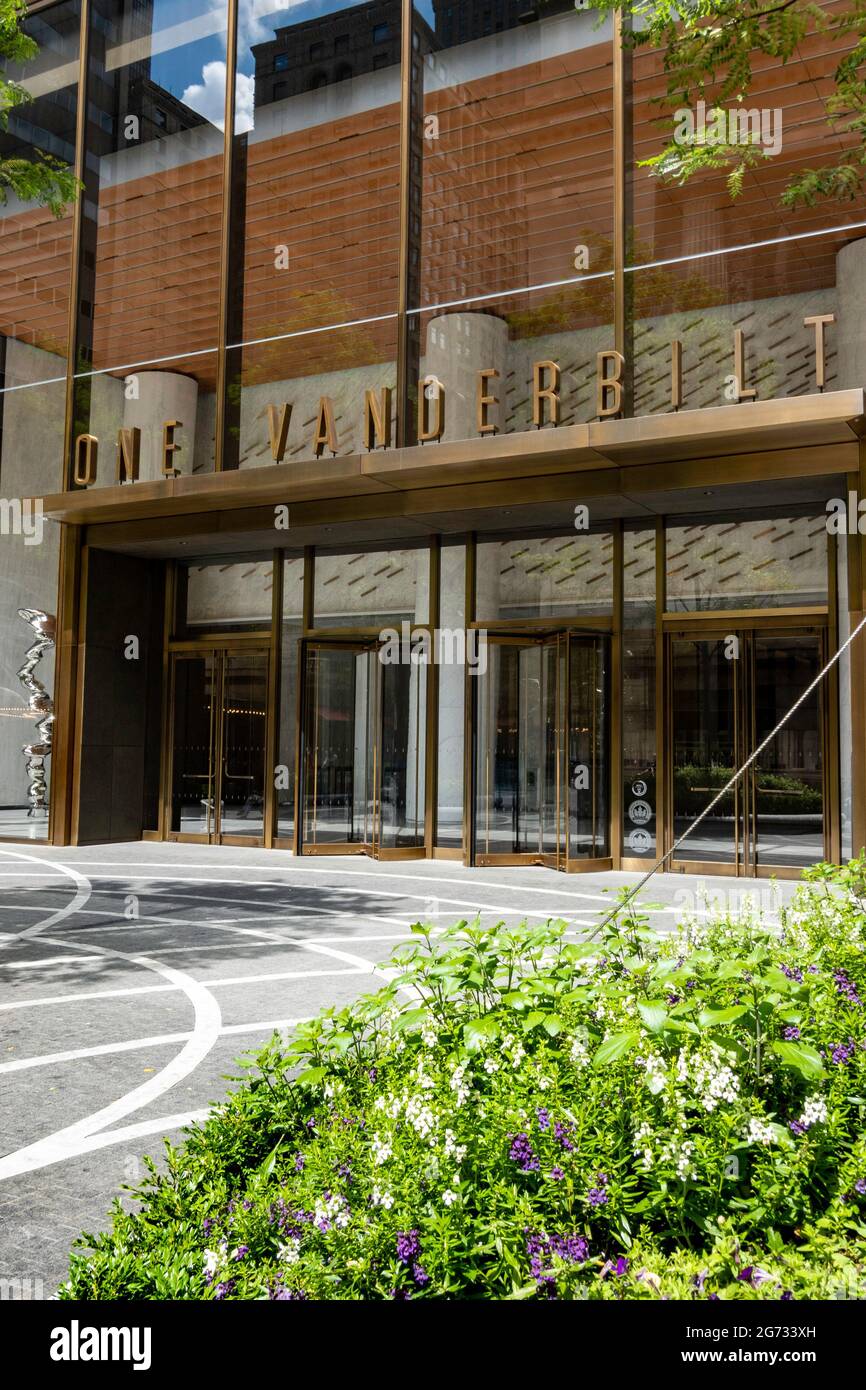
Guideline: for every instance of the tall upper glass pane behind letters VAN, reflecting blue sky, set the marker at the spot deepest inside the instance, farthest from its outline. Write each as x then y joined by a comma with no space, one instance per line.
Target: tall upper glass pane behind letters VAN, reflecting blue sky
315,229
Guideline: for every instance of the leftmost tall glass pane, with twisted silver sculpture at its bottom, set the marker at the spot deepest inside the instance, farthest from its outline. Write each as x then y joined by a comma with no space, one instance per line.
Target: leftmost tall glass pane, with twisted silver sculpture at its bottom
35,272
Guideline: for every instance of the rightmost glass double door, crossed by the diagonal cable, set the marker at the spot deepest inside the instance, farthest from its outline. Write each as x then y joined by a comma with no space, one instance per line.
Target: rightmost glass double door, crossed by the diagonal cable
729,693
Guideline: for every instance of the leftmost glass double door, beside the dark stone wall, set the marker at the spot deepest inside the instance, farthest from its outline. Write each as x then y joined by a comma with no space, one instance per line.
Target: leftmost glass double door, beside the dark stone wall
219,742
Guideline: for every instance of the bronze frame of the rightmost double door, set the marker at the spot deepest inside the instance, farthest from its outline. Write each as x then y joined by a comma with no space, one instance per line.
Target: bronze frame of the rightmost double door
712,629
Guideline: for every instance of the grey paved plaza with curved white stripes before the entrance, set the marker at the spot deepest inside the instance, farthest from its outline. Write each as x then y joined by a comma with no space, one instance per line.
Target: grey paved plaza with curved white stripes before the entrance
133,976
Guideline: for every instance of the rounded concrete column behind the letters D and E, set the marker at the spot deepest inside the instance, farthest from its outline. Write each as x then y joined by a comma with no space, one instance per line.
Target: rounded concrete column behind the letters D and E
458,348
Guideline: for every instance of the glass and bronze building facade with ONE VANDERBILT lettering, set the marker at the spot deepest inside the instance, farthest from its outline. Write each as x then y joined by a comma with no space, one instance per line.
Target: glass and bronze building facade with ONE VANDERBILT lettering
401,469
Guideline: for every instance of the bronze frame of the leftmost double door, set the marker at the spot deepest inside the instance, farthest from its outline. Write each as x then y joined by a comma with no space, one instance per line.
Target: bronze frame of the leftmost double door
219,651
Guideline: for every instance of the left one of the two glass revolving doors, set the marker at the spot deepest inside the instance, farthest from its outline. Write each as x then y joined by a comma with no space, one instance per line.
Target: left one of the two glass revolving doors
363,753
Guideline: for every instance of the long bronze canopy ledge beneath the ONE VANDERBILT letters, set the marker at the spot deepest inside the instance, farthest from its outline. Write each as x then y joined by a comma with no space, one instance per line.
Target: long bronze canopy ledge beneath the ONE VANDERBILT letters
724,433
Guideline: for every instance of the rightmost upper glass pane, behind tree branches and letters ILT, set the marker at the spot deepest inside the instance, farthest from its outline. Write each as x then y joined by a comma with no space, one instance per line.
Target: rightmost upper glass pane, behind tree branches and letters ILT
707,266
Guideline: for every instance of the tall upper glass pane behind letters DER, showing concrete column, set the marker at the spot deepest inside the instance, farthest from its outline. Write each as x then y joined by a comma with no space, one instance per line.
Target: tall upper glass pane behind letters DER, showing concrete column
511,218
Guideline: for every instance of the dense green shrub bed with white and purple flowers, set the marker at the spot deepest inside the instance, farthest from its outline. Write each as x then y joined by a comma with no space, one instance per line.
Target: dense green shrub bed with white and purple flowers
525,1114
